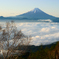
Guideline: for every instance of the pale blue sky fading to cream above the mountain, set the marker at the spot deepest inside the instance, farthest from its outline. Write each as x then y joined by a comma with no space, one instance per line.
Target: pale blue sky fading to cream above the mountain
16,7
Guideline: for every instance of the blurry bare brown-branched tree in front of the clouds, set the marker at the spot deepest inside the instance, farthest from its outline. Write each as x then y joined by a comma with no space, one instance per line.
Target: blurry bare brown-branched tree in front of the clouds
13,41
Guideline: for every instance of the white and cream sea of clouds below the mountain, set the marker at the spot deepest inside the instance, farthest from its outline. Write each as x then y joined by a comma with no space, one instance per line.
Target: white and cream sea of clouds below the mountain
41,32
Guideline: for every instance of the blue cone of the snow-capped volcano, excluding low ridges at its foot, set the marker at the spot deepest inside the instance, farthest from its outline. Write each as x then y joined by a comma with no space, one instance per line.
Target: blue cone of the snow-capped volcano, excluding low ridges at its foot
36,13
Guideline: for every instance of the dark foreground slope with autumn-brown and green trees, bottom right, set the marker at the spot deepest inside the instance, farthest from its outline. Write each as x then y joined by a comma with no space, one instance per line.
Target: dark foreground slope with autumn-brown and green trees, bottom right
44,52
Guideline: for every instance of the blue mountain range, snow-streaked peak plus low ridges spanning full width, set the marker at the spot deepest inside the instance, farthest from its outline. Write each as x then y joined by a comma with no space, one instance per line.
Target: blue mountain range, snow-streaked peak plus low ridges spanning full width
34,14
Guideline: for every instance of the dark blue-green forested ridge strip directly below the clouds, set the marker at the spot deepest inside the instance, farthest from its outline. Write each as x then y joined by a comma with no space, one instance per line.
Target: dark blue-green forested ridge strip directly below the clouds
34,48
